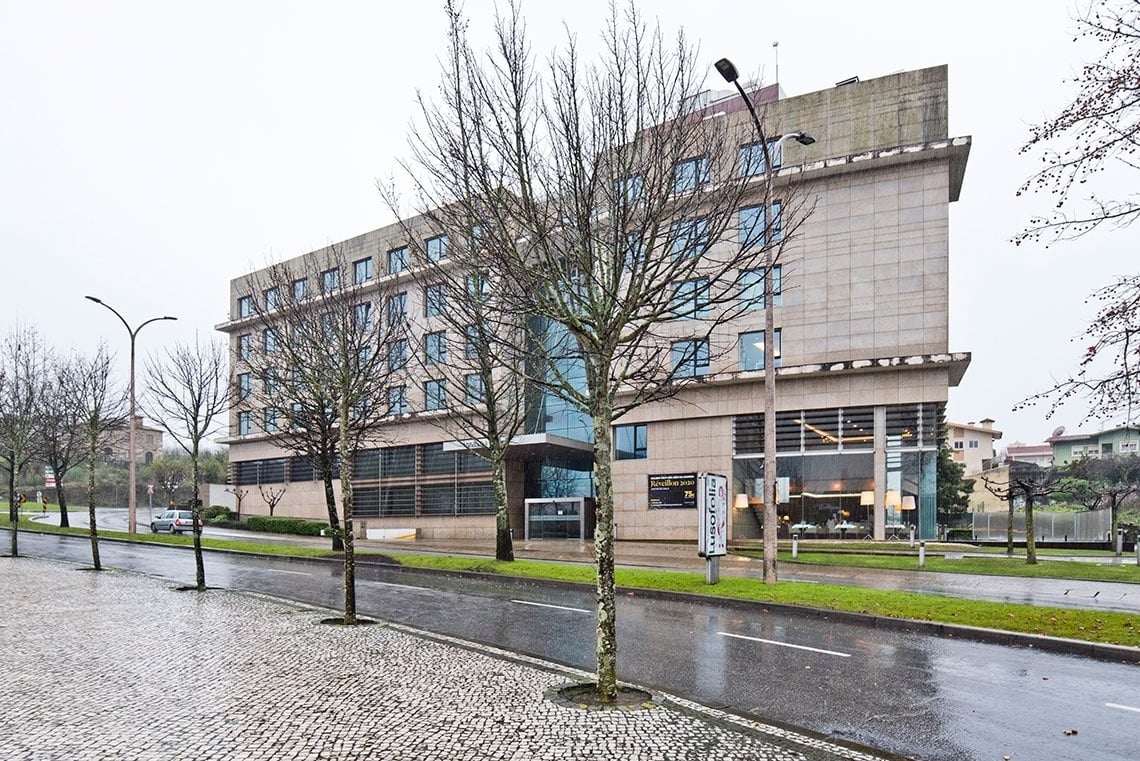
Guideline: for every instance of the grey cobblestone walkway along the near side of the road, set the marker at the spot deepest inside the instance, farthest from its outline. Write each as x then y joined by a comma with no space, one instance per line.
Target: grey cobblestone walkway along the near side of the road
116,666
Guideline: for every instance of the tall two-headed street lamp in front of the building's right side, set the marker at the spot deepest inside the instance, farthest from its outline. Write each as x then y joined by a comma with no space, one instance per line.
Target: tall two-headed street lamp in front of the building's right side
771,496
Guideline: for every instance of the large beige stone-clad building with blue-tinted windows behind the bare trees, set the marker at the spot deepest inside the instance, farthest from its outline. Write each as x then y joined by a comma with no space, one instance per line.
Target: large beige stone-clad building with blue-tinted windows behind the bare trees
865,365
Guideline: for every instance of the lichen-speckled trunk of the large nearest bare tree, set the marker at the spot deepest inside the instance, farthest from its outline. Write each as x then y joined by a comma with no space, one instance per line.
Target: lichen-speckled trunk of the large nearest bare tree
607,647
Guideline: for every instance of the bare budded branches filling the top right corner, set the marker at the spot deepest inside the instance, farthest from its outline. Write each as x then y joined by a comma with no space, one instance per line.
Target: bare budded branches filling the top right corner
1100,132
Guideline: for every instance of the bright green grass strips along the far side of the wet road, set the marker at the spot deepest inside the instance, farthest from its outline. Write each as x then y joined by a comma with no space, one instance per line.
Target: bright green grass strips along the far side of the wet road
1088,626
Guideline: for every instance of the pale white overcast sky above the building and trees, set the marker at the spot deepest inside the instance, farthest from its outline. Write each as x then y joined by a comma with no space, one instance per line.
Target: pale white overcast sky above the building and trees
150,152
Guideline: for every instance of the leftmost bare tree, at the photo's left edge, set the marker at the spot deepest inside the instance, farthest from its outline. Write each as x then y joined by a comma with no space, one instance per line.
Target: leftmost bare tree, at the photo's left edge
23,364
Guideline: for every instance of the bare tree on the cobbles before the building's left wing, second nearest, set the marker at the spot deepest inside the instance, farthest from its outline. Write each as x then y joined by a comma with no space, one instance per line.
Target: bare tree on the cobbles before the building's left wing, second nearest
319,378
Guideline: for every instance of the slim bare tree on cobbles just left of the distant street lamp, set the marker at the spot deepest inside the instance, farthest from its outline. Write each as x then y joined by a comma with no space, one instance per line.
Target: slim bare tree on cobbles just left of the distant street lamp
103,412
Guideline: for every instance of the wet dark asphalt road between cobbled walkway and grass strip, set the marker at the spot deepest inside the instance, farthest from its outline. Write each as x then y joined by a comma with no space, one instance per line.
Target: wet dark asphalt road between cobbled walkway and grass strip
906,693
